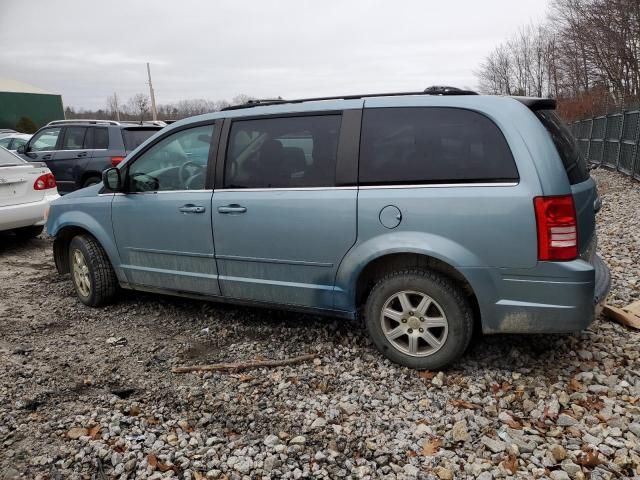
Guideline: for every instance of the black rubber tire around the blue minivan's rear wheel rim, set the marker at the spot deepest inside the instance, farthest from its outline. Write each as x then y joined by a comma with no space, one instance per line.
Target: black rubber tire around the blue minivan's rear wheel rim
447,297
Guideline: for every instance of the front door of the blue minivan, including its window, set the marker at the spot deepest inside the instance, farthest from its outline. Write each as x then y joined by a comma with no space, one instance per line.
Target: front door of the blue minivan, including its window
162,225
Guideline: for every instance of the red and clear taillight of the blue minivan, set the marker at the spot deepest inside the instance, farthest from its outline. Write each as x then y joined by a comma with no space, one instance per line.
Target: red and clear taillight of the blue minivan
557,228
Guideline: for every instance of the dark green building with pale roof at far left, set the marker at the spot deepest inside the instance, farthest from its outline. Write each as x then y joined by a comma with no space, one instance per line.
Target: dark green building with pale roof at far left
19,100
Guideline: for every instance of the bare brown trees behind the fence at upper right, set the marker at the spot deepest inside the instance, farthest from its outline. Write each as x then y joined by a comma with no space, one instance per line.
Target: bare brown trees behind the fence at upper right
586,54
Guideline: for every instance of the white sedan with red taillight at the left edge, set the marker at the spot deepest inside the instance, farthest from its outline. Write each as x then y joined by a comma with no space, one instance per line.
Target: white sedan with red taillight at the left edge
26,189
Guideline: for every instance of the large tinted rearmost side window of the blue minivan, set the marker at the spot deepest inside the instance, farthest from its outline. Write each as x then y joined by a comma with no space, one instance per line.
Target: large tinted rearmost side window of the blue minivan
418,145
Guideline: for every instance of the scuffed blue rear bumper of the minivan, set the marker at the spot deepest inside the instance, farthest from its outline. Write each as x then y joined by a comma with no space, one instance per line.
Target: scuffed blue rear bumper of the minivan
553,297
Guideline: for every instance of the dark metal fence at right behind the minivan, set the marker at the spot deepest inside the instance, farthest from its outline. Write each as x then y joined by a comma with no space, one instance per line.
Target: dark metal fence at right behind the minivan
611,140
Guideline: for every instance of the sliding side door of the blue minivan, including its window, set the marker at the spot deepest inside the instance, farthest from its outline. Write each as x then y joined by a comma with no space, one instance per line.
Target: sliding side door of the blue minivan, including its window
281,225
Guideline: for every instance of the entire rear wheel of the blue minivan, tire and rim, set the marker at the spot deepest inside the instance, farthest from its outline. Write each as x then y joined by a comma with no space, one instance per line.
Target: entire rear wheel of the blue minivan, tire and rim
419,319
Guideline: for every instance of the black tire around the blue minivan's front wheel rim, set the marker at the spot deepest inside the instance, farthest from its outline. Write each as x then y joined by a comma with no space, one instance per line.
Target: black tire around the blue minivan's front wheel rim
103,283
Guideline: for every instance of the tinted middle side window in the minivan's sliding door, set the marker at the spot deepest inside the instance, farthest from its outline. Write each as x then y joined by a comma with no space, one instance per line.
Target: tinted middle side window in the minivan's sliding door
283,152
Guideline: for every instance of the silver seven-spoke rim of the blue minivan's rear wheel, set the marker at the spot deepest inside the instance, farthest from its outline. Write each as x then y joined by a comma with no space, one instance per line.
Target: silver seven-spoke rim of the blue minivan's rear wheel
414,323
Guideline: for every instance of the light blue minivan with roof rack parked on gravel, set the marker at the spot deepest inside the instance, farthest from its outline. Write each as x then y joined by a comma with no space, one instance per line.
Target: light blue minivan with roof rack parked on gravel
431,214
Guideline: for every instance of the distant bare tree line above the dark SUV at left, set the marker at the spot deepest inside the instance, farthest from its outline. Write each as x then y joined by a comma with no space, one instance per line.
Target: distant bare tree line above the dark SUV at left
138,108
